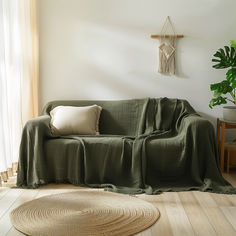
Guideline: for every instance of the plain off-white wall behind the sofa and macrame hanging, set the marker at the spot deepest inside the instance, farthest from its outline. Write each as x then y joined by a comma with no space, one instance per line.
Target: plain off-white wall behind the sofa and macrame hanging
101,49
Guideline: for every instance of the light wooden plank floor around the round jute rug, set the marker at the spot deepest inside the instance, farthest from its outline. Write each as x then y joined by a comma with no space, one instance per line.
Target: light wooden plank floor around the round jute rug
183,213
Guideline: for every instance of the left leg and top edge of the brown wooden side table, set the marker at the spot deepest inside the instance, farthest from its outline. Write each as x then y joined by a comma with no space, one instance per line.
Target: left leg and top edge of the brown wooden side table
223,124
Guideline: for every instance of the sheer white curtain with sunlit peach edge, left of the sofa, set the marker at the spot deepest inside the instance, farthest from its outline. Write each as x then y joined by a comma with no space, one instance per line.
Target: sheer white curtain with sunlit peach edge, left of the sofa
18,73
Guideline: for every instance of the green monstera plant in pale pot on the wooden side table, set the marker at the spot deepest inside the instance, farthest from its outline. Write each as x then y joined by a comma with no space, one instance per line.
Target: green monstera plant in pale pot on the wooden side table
224,91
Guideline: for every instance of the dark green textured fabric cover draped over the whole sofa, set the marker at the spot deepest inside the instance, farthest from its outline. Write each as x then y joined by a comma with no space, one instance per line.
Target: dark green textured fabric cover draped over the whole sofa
146,146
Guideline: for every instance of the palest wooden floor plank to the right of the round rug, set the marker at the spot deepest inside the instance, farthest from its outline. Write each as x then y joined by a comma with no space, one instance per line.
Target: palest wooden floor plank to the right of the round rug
178,219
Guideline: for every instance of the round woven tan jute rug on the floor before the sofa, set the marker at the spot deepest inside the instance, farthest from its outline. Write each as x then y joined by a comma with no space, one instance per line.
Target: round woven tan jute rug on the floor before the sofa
84,212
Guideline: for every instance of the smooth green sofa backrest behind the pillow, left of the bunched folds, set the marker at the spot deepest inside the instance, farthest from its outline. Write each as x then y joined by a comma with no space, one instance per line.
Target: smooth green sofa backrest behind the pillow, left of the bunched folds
122,117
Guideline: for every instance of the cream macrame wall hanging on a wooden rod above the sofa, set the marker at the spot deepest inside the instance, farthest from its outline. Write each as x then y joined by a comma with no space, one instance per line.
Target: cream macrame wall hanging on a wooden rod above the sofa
167,48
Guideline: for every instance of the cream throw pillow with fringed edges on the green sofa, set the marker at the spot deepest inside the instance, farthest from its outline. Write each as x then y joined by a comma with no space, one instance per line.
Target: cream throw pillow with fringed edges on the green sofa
67,120
